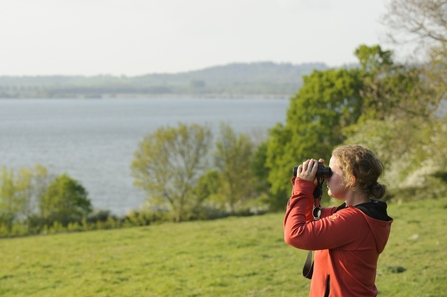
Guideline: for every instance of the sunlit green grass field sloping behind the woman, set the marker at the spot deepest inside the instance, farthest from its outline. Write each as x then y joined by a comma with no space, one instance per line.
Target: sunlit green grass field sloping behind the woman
228,257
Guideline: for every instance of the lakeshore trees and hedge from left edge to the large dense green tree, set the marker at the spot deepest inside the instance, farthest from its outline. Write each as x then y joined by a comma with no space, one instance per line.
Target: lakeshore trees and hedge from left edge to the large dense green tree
185,174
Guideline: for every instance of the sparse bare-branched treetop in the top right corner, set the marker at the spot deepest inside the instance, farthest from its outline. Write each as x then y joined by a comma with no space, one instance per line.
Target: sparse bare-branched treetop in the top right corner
422,24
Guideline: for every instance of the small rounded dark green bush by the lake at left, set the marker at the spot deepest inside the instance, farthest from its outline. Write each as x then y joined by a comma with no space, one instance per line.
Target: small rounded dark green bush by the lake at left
65,201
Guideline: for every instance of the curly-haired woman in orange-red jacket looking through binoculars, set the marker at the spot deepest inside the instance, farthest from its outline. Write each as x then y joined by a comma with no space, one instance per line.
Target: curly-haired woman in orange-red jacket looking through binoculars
348,239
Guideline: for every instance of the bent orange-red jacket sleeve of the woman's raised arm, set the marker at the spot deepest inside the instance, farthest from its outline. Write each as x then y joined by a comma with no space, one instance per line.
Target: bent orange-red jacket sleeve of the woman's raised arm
333,231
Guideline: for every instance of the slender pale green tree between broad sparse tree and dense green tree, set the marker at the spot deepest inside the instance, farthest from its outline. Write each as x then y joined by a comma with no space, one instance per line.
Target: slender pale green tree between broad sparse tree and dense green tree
232,158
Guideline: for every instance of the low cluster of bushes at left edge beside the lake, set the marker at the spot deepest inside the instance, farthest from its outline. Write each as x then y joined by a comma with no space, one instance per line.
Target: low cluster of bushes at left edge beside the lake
31,200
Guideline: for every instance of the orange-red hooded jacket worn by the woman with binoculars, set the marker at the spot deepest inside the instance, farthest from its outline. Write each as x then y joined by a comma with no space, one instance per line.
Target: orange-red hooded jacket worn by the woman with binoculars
347,244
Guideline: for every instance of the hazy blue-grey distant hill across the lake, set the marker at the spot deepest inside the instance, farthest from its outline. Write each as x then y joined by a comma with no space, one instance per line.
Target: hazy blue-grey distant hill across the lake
265,79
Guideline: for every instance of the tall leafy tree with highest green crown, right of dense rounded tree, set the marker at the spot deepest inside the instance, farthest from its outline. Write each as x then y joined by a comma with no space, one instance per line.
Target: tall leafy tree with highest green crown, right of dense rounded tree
396,99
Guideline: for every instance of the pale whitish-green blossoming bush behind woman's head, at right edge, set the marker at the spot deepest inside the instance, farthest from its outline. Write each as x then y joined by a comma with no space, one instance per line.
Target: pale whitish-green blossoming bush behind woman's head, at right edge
414,154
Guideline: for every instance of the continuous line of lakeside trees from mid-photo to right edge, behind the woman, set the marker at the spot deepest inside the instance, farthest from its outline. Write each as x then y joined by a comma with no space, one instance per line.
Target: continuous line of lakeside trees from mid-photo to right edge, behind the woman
392,108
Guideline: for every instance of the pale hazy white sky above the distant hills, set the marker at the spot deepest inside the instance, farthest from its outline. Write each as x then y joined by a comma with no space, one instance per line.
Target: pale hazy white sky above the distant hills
134,37
